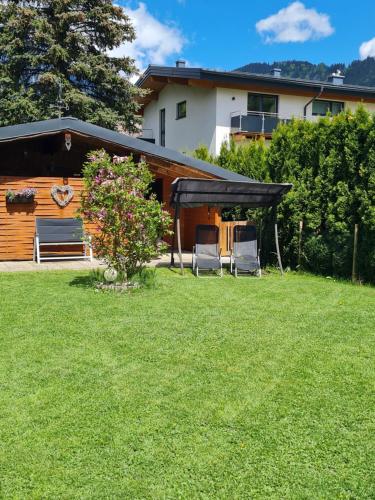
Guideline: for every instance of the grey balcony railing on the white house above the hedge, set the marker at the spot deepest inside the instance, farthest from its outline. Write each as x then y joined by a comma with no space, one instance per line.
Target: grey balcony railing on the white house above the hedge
256,122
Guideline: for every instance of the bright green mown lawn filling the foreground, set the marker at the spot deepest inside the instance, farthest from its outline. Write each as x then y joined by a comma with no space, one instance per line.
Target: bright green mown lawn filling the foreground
200,388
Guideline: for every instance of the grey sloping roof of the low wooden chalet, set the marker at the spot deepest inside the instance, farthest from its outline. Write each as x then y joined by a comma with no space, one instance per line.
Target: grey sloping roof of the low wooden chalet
69,124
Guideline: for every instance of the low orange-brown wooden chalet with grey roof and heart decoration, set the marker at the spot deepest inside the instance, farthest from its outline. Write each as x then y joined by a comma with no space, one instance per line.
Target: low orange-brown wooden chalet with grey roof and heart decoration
46,154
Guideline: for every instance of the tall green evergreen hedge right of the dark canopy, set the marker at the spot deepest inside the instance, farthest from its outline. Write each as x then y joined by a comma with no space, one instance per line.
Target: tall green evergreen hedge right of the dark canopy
331,164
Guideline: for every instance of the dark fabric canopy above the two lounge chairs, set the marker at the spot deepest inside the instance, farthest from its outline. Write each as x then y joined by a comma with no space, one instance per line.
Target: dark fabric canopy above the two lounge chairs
188,192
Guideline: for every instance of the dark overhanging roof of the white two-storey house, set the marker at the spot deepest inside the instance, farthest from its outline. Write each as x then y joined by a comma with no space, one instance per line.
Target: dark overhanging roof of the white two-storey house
156,77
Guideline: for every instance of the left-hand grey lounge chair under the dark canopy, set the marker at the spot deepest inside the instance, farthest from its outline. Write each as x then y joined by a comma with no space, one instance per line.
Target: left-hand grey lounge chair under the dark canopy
206,253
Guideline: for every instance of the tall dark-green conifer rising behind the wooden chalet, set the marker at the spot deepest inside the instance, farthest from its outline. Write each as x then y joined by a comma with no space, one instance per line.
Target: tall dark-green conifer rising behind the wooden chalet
54,57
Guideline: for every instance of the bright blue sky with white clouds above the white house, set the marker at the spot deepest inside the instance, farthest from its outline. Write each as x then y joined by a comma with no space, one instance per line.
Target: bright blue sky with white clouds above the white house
228,34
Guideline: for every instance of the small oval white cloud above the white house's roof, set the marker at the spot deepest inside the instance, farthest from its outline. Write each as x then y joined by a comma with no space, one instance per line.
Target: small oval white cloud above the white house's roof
295,23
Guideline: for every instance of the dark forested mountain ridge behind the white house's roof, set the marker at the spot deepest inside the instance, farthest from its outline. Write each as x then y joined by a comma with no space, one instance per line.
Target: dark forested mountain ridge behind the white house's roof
356,73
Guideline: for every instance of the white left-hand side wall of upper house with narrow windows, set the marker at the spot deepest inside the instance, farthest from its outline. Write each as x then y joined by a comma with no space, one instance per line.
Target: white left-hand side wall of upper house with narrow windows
188,133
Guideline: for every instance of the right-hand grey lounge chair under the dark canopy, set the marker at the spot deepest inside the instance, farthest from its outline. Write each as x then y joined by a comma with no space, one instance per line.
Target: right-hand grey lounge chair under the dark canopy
245,256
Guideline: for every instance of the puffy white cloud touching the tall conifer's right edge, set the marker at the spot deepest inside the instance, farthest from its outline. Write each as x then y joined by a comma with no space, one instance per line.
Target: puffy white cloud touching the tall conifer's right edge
155,42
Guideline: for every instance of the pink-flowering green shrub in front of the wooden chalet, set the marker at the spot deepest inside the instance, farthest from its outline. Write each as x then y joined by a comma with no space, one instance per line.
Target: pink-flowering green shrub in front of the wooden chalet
129,221
